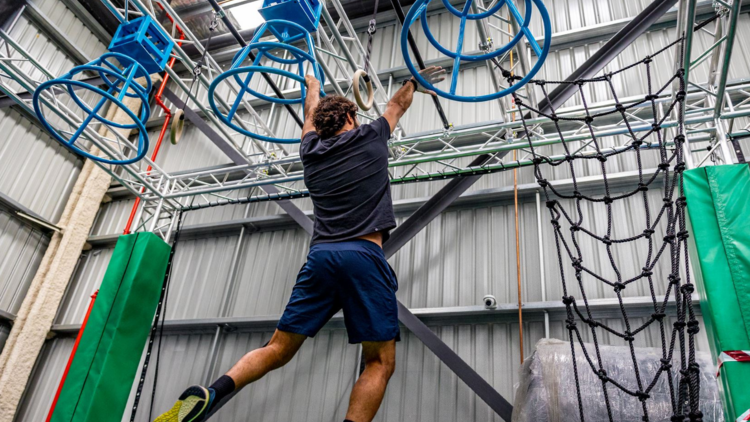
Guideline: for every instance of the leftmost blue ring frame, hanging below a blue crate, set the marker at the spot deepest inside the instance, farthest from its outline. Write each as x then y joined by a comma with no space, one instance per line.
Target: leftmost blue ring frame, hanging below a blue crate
120,82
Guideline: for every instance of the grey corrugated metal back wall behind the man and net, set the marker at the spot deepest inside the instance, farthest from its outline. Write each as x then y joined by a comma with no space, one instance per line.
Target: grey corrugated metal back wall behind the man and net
464,254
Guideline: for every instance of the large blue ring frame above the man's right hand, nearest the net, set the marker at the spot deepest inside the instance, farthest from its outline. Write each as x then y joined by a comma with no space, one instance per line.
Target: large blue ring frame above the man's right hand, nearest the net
419,10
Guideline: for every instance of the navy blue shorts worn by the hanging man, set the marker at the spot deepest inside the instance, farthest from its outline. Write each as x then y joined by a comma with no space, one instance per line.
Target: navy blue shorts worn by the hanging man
353,276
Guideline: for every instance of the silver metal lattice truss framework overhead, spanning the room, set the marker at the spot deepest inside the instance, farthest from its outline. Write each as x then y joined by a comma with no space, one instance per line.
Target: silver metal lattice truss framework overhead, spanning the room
416,157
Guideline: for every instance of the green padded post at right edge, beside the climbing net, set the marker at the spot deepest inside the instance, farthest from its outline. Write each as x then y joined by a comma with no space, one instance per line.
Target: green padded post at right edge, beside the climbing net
718,202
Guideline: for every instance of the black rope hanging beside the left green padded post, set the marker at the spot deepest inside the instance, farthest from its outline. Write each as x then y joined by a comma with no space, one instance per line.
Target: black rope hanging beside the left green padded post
161,309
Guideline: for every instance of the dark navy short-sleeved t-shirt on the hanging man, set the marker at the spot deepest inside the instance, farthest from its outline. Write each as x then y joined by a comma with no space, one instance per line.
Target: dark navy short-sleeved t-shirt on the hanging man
347,176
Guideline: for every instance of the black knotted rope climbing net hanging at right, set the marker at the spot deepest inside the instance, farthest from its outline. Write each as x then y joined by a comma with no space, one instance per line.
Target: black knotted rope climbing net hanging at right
670,243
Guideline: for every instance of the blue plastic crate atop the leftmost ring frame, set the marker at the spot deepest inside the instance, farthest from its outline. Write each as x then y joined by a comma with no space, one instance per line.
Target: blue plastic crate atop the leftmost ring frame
145,42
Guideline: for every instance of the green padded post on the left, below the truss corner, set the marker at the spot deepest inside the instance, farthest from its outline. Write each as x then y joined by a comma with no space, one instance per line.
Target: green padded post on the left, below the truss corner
104,367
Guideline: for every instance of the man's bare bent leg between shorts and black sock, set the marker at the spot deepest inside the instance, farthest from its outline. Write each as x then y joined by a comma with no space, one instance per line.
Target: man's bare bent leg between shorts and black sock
257,363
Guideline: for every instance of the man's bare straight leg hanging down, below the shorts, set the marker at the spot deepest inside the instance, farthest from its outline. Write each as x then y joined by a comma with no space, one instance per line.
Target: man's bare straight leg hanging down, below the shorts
368,392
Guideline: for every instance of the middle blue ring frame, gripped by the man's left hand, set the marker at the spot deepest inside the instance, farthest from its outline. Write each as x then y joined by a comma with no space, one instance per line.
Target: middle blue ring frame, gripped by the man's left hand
243,75
